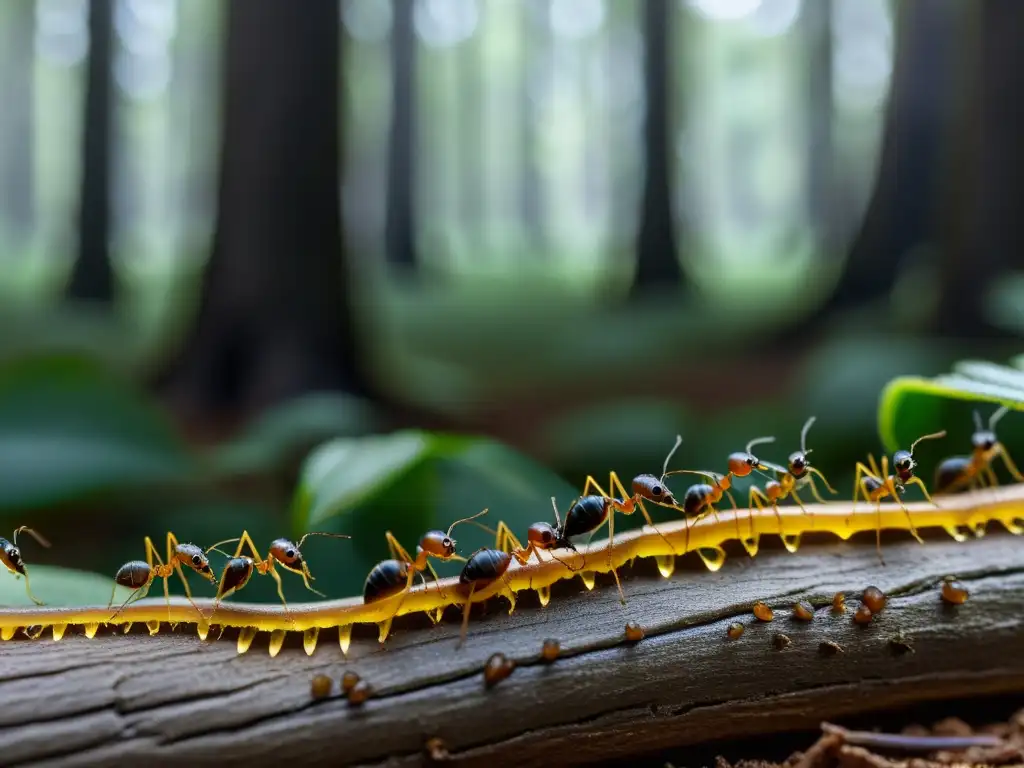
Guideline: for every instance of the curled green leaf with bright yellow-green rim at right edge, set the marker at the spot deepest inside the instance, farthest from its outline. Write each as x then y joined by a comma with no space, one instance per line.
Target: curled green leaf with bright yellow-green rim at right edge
914,406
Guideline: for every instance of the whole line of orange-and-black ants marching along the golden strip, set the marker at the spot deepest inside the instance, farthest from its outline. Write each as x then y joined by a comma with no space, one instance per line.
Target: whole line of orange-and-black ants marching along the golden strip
394,578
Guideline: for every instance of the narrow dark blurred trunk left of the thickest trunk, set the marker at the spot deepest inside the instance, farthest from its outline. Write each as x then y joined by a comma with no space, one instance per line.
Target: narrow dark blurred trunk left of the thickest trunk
92,277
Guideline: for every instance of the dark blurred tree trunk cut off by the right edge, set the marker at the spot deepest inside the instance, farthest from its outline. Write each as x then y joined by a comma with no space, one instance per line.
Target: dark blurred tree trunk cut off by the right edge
986,191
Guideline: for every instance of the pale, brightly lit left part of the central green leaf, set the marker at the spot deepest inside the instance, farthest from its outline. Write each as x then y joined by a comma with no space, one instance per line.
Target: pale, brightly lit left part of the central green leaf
349,472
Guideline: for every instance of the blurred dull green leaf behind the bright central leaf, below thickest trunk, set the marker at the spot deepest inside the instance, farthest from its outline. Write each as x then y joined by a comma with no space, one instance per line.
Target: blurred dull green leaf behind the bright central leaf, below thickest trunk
292,430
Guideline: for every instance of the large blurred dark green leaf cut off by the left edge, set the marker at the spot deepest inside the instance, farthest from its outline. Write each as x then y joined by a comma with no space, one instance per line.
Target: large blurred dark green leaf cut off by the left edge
69,429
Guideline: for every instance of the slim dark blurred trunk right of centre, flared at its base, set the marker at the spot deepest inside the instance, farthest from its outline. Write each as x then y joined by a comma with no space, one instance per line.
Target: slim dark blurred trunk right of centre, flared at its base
658,261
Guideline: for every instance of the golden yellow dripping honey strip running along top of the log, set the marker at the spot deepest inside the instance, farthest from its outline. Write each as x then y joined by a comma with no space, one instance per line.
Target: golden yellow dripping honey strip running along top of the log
958,516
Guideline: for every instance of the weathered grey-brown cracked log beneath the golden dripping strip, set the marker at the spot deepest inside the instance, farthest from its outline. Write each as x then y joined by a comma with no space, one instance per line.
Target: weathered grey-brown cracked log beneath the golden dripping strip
142,700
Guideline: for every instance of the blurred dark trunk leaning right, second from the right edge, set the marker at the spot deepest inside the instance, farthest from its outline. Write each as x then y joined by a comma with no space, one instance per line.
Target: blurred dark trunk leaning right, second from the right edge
901,215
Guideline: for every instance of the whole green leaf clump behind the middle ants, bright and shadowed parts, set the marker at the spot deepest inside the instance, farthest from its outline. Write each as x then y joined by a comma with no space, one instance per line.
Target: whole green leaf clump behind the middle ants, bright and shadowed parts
412,482
